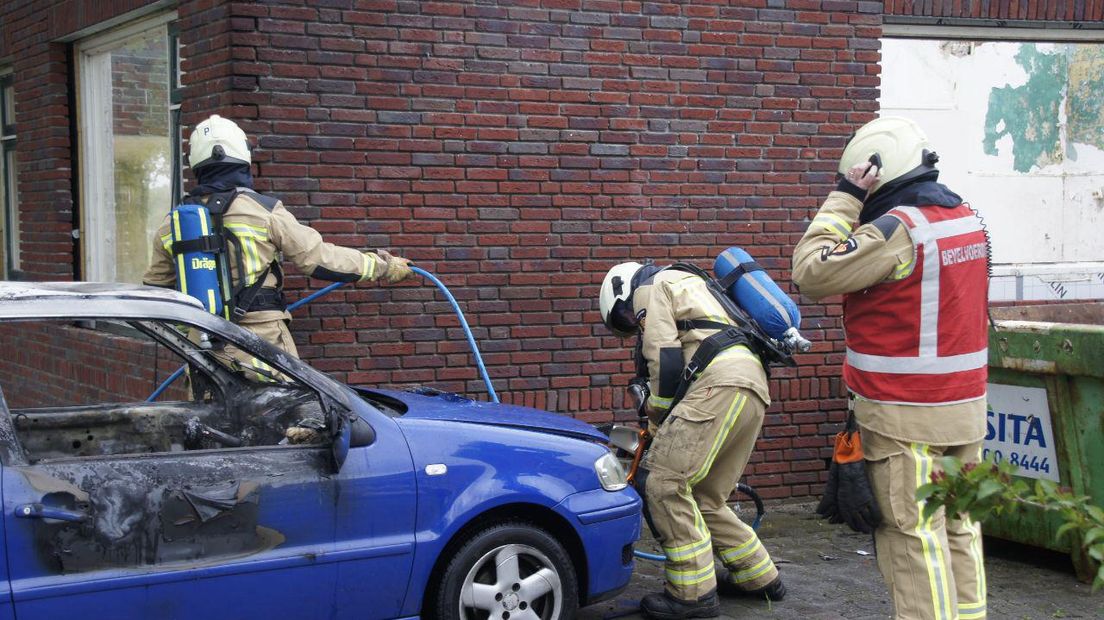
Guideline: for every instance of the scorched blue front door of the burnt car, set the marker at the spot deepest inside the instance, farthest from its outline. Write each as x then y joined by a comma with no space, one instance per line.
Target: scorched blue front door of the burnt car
248,532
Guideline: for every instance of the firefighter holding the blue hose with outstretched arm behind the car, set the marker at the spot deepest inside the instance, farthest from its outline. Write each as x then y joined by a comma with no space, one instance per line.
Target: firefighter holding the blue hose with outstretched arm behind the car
264,231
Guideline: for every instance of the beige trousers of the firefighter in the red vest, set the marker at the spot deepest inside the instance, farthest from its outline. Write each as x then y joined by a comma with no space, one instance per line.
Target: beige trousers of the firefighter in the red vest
933,568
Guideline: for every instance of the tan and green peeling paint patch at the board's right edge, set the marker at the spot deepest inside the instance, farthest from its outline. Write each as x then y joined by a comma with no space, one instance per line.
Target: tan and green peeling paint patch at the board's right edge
1086,99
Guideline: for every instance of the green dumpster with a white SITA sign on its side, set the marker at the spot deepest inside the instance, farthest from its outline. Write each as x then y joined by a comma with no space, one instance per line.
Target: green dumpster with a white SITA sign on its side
1047,411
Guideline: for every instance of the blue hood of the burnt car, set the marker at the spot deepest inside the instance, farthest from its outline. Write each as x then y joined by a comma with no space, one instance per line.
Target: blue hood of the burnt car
452,408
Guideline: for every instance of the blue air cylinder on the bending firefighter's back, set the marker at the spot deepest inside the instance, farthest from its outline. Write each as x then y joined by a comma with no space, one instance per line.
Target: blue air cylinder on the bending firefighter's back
753,291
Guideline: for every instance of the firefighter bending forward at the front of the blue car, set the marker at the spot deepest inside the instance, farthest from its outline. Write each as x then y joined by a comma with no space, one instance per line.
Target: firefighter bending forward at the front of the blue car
703,442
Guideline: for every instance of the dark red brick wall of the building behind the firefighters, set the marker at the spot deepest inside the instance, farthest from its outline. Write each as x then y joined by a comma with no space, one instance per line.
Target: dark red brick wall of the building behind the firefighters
518,149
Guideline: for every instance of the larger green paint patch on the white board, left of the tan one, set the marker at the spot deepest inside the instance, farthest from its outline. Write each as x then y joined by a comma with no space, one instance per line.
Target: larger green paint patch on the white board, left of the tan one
1029,113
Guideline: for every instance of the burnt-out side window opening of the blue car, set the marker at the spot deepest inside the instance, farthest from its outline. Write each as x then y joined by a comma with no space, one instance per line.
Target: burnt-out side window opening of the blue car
67,402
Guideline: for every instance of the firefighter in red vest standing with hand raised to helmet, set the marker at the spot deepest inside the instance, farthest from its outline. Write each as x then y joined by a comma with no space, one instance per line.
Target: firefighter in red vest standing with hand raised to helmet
911,261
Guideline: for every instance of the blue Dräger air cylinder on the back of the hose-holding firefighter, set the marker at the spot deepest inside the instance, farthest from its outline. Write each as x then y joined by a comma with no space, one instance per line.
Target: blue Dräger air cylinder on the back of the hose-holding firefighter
197,271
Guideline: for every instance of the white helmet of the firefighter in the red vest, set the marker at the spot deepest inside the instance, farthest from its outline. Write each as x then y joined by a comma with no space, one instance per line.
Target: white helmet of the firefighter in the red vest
899,143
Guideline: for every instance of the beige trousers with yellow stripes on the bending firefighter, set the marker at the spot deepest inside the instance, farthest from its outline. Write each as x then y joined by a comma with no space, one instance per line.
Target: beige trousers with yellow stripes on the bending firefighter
694,465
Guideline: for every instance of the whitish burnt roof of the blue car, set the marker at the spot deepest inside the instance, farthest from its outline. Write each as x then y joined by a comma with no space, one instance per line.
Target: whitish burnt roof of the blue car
90,293
